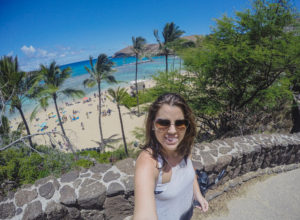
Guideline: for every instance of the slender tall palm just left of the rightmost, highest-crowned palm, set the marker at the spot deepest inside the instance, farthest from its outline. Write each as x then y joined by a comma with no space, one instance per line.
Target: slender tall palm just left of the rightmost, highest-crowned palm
138,48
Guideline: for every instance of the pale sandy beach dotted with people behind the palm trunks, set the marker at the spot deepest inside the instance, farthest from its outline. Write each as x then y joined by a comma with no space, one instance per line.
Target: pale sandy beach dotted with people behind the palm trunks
81,122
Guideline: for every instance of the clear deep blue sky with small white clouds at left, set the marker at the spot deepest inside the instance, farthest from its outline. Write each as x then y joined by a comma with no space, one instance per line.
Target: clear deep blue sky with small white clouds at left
67,31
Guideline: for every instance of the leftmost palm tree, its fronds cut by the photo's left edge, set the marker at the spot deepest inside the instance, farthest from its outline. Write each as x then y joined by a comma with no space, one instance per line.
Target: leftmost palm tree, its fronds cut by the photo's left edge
16,86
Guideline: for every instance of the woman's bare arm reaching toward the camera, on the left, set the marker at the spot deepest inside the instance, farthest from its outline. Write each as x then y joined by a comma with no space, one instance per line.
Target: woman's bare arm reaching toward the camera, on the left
144,185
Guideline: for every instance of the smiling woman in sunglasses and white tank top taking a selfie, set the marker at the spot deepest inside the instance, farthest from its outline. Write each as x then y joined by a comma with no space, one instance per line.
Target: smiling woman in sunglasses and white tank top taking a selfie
165,180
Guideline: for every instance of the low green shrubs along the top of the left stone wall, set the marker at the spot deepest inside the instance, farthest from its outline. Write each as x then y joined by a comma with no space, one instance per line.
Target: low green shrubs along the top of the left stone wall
24,167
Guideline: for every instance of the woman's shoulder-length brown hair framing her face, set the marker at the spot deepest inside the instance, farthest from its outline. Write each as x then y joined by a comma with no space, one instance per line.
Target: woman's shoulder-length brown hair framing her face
185,146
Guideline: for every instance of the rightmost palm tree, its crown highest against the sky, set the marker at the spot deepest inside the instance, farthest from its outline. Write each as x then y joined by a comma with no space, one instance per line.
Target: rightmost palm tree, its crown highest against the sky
170,33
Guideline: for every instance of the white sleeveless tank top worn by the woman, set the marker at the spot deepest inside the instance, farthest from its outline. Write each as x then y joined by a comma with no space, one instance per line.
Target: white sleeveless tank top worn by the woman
174,199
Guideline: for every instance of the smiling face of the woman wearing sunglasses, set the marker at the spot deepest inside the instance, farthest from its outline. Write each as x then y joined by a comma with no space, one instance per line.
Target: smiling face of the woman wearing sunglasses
170,137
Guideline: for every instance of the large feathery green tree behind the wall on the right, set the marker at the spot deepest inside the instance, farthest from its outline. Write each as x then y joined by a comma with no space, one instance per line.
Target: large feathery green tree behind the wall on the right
244,66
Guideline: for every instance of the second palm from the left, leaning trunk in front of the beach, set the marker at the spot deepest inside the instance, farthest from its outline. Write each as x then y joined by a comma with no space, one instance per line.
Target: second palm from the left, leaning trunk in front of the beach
54,78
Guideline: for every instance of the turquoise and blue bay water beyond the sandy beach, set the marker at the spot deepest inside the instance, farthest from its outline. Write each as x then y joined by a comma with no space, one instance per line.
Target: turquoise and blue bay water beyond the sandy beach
125,72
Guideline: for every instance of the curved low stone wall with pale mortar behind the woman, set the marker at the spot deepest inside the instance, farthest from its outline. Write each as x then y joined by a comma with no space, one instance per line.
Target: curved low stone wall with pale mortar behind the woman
106,191
